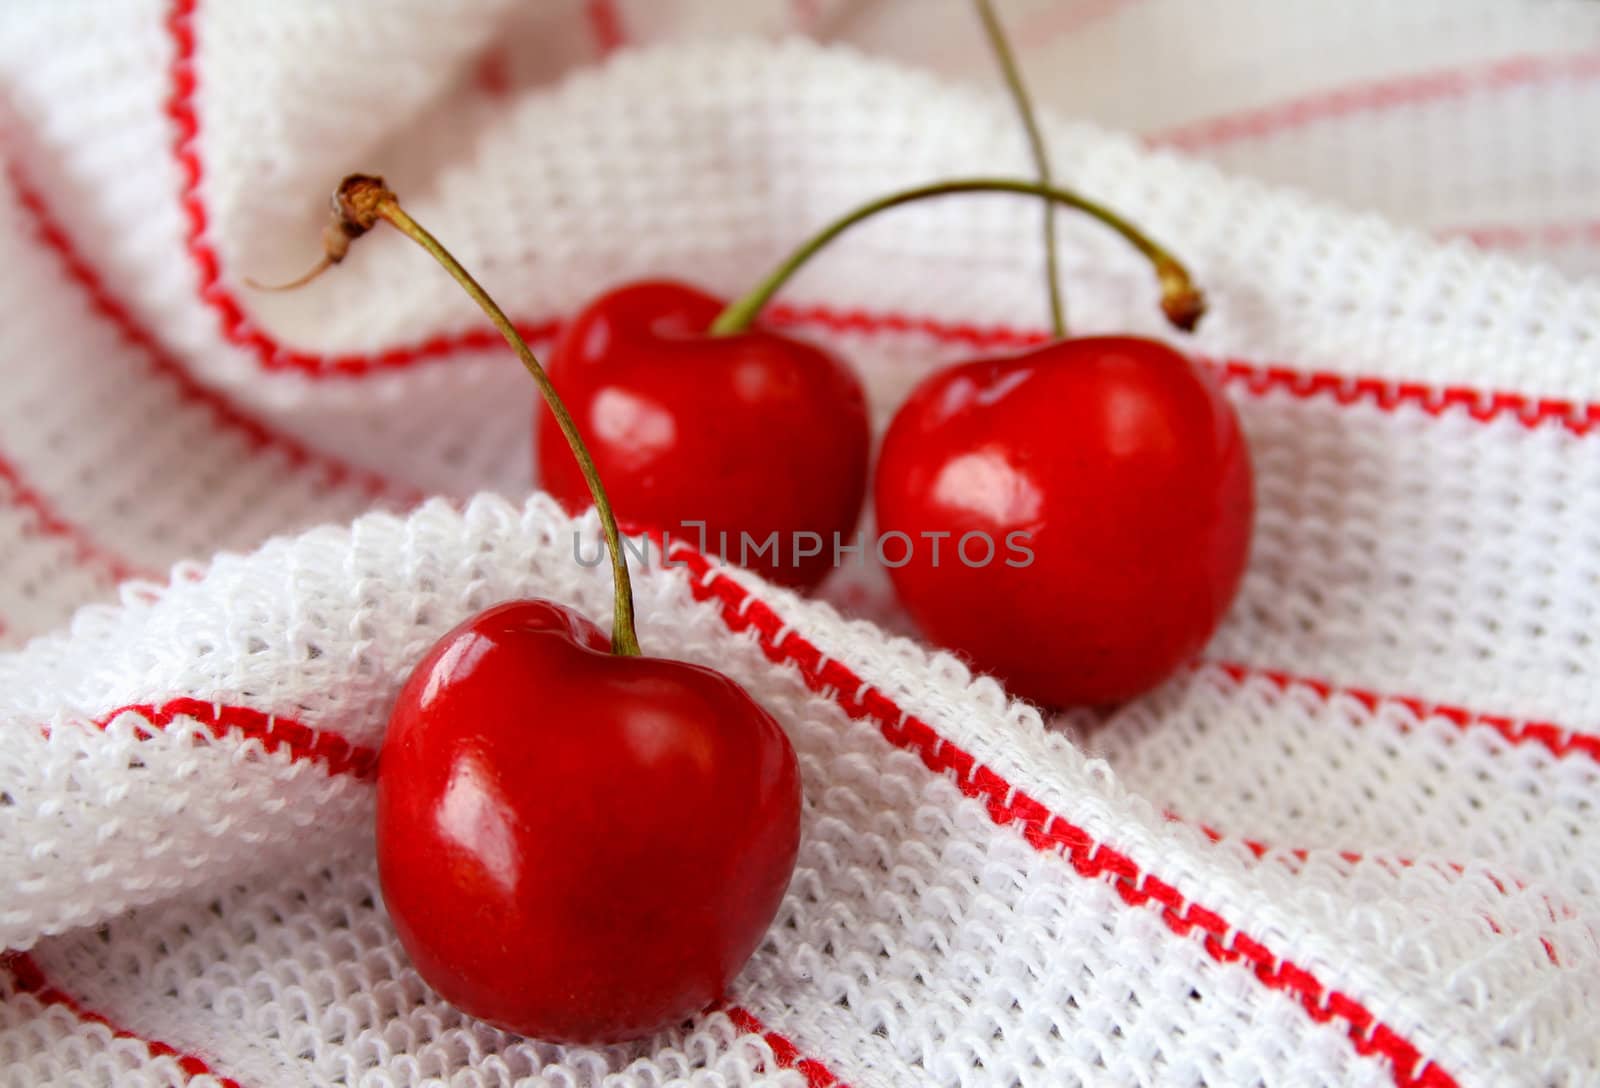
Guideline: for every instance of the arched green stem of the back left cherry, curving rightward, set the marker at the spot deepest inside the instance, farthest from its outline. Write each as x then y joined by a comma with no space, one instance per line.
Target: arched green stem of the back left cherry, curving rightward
1182,300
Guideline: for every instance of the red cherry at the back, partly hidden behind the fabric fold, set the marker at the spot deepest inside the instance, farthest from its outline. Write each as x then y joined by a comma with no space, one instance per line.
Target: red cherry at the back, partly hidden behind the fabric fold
751,433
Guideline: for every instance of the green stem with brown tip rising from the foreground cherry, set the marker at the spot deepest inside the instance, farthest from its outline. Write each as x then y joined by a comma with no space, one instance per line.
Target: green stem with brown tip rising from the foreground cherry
358,206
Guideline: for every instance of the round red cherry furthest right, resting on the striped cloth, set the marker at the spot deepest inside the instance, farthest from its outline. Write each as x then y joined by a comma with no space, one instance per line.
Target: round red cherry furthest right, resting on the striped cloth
1124,465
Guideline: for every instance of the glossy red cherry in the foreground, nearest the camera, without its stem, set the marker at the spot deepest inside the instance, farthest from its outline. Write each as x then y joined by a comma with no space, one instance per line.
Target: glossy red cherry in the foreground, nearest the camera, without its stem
577,846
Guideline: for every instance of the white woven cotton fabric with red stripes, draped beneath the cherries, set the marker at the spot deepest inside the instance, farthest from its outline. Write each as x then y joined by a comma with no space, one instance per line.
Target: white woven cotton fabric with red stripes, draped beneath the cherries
1354,844
